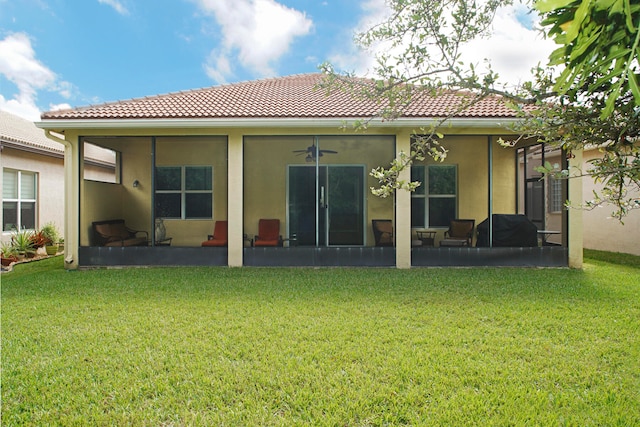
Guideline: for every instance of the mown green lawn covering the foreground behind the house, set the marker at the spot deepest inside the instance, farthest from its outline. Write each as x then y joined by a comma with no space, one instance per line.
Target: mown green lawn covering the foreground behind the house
356,347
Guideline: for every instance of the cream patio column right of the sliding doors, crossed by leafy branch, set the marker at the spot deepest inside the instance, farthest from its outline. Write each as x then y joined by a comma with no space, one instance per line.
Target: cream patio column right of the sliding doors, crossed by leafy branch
403,207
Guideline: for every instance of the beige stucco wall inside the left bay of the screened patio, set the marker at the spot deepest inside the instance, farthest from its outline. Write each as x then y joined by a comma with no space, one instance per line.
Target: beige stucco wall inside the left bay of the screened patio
103,201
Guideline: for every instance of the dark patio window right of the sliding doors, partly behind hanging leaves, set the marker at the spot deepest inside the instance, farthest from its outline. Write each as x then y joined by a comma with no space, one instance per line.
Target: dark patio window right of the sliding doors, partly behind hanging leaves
434,202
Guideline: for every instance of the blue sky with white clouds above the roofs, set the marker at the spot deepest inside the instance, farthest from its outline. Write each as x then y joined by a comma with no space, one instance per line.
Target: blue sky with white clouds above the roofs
58,54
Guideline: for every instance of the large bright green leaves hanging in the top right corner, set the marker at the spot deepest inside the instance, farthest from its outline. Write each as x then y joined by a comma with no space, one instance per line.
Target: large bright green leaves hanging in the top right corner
594,46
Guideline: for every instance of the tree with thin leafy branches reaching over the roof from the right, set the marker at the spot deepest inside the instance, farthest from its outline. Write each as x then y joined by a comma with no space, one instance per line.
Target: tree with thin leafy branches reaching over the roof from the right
593,100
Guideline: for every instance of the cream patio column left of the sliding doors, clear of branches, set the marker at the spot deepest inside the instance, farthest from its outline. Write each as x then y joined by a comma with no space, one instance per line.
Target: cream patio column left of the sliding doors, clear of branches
235,199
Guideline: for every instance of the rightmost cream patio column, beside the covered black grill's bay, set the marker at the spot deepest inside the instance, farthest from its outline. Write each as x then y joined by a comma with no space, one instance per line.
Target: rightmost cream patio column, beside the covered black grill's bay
574,232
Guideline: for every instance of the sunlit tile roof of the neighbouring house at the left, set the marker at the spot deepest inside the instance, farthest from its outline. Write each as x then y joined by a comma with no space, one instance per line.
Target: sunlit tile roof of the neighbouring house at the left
22,132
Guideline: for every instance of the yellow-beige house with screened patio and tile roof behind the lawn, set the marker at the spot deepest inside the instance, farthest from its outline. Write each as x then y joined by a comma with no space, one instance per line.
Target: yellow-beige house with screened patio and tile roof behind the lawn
277,149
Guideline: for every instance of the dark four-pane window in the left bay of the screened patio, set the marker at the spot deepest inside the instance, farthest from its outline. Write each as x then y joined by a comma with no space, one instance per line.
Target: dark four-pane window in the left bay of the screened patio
184,192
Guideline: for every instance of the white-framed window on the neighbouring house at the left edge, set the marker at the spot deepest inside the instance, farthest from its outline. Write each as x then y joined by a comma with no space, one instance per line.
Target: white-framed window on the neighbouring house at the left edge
18,199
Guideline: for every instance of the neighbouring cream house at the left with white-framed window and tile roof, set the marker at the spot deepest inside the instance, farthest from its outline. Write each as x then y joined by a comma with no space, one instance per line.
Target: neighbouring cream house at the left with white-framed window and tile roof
33,176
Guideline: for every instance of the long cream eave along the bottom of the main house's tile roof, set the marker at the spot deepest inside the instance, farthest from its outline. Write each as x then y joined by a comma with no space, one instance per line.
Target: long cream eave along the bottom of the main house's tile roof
80,124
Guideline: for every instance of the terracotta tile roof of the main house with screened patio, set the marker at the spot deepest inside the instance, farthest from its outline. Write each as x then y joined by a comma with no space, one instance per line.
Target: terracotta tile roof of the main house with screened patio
285,97
